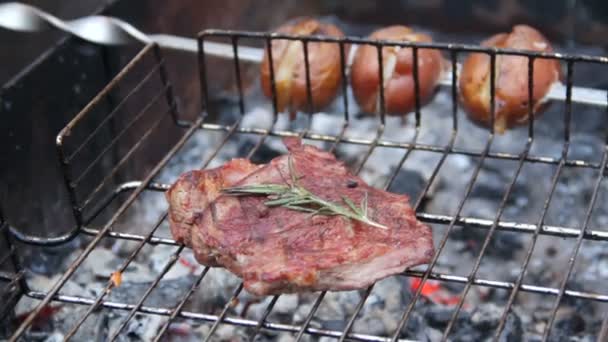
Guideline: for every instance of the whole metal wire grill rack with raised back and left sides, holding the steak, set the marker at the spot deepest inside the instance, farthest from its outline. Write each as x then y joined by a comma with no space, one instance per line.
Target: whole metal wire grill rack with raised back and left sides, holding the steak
108,201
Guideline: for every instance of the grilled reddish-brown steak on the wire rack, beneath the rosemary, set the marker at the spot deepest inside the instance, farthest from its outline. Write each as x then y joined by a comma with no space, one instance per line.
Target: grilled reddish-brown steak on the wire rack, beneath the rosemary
280,250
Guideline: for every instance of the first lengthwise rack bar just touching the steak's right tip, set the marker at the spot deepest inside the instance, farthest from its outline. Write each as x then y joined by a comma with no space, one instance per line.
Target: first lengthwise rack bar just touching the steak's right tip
444,240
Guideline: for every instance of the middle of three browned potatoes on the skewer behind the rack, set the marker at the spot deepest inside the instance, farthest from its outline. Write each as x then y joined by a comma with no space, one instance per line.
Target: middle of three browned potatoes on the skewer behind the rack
399,95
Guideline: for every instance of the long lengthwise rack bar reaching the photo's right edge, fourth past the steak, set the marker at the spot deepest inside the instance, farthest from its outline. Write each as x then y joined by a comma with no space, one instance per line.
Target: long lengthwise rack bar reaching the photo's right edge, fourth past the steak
579,242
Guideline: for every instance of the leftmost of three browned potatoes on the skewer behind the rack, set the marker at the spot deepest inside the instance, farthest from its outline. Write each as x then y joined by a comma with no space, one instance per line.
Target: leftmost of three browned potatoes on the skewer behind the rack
324,67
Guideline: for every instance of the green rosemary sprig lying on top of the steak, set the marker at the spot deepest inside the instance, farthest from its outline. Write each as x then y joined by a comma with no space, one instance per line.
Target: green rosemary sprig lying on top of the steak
295,197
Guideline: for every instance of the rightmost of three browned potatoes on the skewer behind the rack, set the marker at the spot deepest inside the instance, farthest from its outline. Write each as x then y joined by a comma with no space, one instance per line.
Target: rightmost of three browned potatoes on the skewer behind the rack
511,84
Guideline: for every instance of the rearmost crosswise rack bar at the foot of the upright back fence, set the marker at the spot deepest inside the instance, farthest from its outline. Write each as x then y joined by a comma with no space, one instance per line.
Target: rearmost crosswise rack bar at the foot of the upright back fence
395,144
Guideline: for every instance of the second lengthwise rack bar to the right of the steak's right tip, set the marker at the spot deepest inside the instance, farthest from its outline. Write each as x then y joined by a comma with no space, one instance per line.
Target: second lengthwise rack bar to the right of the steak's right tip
486,242
